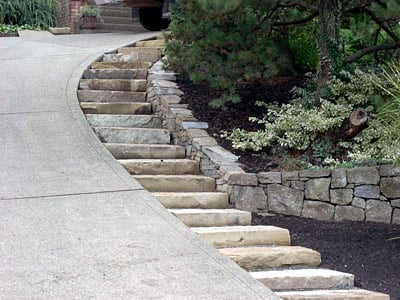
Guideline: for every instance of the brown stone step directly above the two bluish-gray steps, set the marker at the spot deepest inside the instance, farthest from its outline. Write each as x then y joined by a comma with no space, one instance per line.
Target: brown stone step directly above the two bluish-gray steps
116,108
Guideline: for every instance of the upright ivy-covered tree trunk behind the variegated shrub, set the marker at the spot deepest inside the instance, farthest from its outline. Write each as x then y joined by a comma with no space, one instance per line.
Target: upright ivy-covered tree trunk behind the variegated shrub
330,53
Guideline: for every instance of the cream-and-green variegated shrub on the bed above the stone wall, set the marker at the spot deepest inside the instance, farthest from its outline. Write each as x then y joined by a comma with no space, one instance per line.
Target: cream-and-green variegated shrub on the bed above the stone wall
297,124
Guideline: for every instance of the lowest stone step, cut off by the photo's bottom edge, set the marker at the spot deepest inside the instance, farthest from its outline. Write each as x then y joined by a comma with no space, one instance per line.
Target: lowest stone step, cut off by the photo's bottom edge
353,294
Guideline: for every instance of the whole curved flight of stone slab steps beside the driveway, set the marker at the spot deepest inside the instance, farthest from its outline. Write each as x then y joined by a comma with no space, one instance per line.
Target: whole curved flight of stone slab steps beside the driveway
112,94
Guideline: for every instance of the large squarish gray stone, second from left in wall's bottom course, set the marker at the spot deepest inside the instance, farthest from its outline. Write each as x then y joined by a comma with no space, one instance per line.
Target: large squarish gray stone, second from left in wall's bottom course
284,200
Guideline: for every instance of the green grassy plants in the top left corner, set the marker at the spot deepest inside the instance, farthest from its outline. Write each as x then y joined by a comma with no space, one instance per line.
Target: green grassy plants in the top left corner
36,13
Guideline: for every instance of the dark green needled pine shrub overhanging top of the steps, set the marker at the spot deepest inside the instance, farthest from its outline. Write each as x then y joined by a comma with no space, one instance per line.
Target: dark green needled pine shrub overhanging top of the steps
223,42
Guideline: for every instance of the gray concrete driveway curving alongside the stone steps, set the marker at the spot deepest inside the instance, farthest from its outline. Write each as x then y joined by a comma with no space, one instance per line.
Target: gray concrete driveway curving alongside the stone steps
73,223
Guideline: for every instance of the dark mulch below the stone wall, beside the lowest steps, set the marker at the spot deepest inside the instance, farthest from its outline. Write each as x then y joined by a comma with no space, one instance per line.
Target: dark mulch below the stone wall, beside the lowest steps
370,251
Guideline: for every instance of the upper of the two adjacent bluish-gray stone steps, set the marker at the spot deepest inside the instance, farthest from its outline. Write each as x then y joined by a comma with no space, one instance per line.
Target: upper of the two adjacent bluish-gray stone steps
137,121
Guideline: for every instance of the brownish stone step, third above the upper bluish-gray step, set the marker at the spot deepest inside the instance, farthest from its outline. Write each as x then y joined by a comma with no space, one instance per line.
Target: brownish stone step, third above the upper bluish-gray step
125,85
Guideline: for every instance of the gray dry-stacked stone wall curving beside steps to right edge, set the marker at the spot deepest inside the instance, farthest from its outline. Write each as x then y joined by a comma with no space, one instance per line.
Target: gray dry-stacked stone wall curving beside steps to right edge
359,194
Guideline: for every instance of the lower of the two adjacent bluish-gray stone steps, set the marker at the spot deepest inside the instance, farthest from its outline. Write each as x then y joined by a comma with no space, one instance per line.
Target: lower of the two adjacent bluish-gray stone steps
132,135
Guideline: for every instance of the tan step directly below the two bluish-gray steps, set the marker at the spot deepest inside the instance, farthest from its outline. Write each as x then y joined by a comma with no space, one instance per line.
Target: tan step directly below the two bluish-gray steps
128,151
